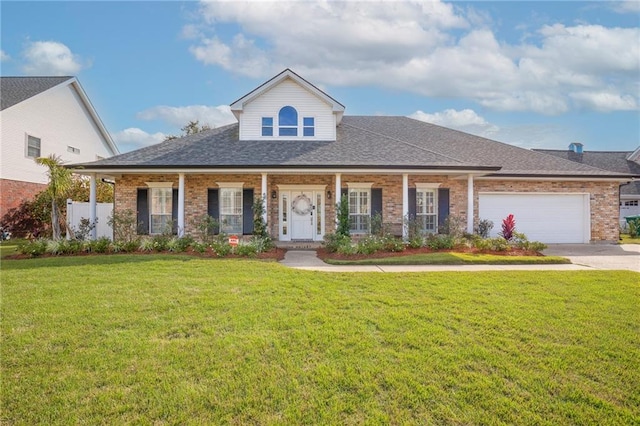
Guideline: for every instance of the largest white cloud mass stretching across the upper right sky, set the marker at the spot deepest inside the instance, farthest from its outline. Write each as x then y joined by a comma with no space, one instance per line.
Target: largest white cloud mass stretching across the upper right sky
428,48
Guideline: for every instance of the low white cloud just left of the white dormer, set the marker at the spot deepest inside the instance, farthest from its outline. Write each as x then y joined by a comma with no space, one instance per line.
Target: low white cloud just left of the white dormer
179,116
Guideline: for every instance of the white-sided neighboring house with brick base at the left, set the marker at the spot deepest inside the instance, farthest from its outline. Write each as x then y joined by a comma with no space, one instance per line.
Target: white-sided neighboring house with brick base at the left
40,116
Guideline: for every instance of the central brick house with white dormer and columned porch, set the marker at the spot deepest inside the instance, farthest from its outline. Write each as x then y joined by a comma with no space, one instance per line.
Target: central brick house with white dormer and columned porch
294,146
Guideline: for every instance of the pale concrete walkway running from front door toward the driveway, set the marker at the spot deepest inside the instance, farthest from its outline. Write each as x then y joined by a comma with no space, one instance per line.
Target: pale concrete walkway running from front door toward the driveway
307,260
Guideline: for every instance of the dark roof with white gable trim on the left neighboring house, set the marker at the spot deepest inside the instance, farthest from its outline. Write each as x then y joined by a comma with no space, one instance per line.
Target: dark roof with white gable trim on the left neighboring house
14,90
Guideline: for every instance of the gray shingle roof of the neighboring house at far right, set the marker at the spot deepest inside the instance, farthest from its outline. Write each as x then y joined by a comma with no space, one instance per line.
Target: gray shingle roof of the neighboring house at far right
615,161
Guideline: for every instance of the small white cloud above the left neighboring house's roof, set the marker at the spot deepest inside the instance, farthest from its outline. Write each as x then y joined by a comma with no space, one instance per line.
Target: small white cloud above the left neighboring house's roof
50,58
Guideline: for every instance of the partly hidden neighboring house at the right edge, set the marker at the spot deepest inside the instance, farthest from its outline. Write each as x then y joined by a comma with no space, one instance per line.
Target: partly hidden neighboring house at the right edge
626,162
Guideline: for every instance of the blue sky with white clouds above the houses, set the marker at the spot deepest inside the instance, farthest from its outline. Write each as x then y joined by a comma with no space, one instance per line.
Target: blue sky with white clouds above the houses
537,74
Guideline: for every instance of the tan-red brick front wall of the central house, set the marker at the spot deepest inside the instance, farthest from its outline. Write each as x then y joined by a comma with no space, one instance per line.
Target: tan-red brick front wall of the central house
603,195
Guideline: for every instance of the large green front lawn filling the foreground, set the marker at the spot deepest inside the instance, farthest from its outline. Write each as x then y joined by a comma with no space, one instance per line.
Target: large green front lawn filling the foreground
179,340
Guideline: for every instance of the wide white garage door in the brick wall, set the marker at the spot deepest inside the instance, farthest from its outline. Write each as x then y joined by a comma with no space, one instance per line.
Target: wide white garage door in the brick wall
549,218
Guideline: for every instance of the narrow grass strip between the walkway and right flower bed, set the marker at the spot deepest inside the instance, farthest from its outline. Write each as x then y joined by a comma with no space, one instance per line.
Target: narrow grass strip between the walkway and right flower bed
453,259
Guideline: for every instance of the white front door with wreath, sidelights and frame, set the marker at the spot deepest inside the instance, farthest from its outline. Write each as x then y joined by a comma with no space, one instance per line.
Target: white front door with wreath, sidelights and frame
301,213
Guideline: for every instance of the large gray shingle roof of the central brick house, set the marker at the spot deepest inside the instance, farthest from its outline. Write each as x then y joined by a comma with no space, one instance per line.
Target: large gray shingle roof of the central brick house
362,142
